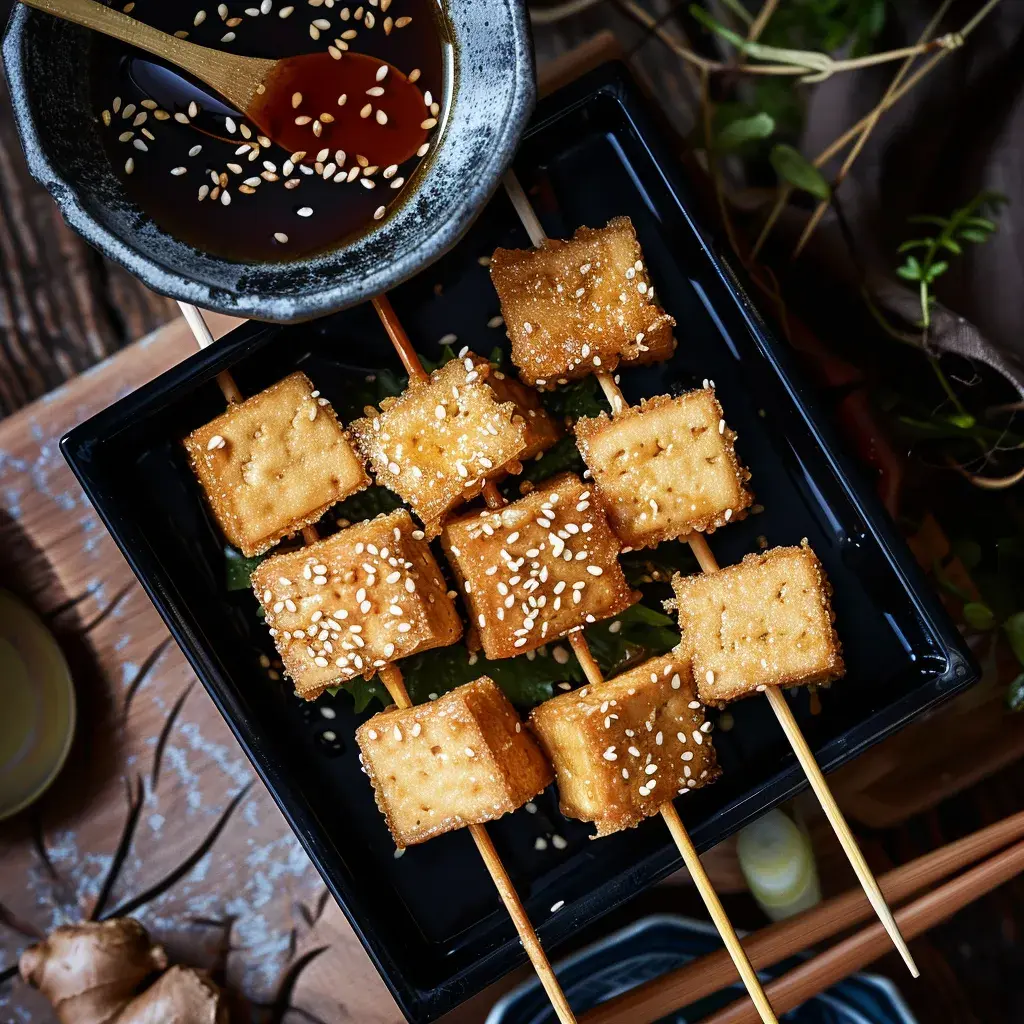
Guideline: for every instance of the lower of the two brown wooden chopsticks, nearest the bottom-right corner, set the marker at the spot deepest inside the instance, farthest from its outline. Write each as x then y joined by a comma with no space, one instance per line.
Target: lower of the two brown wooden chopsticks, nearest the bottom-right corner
851,955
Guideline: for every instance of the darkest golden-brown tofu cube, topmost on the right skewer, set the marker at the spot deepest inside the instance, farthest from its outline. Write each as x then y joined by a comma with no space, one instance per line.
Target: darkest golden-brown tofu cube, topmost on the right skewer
576,308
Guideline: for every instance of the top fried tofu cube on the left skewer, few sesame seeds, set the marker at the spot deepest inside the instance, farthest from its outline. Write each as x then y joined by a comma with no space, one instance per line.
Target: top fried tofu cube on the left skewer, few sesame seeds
274,464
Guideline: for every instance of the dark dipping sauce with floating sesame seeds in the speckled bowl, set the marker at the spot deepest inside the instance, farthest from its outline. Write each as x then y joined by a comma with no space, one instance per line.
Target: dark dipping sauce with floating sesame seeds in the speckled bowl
296,208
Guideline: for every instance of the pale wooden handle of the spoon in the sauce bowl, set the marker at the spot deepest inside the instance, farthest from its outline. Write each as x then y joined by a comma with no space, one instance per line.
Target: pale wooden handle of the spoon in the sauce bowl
236,78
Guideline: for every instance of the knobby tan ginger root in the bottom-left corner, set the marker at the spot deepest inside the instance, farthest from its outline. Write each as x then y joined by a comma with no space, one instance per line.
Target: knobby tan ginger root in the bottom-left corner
95,973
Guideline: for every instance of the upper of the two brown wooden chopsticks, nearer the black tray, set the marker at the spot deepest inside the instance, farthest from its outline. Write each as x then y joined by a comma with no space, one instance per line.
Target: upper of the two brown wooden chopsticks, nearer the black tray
771,946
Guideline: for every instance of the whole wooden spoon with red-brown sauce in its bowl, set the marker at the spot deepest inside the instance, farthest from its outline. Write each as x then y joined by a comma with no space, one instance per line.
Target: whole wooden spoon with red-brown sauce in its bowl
306,104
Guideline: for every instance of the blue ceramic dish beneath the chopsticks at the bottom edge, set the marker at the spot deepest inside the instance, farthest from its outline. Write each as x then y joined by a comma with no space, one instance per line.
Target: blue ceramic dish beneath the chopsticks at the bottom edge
659,945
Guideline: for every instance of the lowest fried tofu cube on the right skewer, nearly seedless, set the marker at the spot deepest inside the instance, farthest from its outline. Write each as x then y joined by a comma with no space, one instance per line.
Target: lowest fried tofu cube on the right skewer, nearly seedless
766,622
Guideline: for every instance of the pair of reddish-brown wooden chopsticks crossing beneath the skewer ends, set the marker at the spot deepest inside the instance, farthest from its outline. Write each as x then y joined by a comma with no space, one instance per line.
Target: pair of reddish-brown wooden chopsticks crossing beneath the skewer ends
778,943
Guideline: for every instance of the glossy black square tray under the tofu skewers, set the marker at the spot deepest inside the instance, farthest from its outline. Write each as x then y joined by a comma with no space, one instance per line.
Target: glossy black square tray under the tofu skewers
432,921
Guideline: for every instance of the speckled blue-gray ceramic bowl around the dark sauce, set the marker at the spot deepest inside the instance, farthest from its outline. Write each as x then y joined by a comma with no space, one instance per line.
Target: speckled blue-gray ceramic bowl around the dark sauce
48,65
